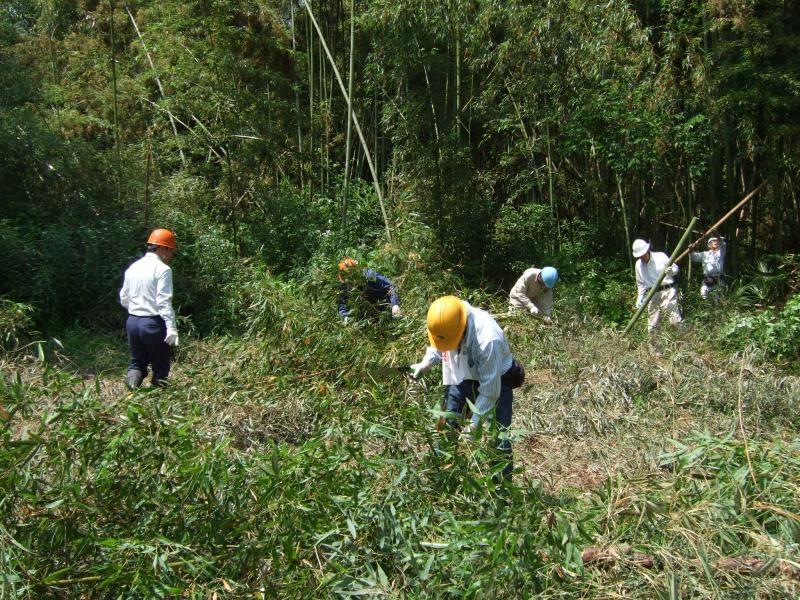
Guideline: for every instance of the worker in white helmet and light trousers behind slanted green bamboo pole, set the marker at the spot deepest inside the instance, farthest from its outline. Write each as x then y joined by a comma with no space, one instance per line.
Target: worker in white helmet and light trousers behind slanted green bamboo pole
664,303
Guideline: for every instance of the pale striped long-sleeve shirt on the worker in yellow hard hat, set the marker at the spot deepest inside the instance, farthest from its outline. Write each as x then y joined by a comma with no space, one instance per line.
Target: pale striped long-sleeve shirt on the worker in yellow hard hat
483,355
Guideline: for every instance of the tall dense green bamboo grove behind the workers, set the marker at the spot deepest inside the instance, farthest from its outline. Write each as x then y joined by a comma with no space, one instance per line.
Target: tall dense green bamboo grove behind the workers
562,120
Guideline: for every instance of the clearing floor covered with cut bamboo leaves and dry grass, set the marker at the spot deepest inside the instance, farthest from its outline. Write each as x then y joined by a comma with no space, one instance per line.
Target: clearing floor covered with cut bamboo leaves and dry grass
288,462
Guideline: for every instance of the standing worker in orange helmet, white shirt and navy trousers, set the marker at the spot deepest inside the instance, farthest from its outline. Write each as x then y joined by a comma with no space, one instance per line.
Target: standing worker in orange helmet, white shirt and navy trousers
147,295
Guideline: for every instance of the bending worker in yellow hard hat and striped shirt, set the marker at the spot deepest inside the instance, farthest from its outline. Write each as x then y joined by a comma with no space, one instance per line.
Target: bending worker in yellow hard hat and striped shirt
476,365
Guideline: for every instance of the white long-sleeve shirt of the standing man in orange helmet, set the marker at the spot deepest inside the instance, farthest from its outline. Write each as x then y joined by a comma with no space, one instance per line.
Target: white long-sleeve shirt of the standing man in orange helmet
147,290
